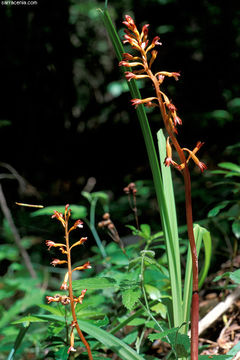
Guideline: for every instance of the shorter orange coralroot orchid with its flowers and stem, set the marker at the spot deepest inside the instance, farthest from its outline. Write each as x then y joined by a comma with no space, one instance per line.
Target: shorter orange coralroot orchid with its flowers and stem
66,249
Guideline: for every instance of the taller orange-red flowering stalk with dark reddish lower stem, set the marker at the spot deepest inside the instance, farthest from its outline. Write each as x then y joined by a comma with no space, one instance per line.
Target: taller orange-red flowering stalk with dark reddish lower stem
139,41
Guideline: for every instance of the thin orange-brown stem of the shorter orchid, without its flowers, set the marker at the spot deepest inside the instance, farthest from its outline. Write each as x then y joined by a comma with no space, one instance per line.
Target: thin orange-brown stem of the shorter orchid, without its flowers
70,289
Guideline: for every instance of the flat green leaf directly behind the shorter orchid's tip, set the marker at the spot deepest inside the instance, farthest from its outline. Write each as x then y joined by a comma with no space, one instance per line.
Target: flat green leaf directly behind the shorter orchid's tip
78,211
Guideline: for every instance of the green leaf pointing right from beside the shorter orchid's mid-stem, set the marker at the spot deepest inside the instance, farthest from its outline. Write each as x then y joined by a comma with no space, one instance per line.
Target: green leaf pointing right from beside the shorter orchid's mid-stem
94,283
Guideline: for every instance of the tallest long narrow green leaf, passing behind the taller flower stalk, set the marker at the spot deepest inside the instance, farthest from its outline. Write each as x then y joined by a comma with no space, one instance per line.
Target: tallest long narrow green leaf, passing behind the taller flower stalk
171,245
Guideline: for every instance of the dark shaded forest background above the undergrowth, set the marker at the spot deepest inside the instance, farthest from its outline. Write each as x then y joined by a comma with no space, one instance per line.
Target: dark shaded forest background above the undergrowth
68,115
